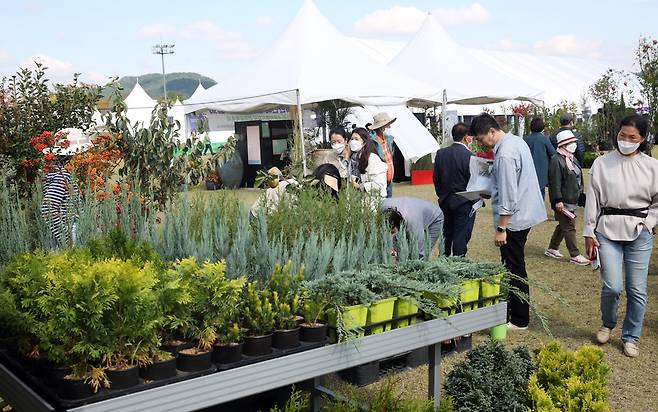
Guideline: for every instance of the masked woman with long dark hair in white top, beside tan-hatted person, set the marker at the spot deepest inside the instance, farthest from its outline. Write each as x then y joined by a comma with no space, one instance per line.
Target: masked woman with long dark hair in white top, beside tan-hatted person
371,176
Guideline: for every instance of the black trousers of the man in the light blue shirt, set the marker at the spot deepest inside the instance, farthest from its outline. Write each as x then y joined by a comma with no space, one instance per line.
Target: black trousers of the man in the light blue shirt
513,257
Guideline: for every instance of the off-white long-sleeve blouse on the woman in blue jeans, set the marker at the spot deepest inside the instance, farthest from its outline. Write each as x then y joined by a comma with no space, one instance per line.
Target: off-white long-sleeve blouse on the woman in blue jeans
621,182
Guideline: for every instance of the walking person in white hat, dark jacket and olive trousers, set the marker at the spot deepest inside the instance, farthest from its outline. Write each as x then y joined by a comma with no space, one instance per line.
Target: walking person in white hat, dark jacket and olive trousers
565,189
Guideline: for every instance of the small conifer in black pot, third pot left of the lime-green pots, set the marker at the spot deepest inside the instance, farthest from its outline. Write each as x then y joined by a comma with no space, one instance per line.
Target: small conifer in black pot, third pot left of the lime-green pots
258,318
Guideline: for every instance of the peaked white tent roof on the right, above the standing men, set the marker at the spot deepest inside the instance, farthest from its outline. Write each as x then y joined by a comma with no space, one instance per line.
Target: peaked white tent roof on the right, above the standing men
433,55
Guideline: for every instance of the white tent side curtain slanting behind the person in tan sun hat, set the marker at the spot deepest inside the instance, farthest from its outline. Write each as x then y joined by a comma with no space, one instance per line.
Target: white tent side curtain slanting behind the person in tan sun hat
413,139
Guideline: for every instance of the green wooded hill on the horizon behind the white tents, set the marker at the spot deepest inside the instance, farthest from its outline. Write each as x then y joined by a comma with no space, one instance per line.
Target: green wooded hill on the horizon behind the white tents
180,85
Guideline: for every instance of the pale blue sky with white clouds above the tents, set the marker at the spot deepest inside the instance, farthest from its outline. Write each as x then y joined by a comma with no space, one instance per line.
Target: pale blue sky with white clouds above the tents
217,38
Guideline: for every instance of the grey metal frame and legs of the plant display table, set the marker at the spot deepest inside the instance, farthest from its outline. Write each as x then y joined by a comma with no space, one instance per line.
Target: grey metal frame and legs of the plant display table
238,383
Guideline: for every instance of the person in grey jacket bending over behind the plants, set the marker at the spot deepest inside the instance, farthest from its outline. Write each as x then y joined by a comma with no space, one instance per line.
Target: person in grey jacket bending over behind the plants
422,219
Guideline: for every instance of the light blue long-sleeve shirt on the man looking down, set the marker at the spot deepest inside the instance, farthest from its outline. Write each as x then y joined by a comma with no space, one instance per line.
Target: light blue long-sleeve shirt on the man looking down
515,190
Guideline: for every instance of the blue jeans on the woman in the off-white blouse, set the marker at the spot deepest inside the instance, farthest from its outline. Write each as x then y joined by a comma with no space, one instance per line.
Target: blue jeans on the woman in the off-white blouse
633,256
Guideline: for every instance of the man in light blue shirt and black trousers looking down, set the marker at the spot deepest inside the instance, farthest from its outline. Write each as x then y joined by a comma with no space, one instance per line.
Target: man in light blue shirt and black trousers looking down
517,206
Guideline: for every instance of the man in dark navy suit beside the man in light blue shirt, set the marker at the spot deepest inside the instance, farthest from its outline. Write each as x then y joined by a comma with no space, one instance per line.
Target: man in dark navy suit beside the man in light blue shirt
451,175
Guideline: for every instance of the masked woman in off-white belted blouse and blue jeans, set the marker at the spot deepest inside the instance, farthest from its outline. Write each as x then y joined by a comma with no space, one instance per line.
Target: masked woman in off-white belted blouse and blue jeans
620,214
